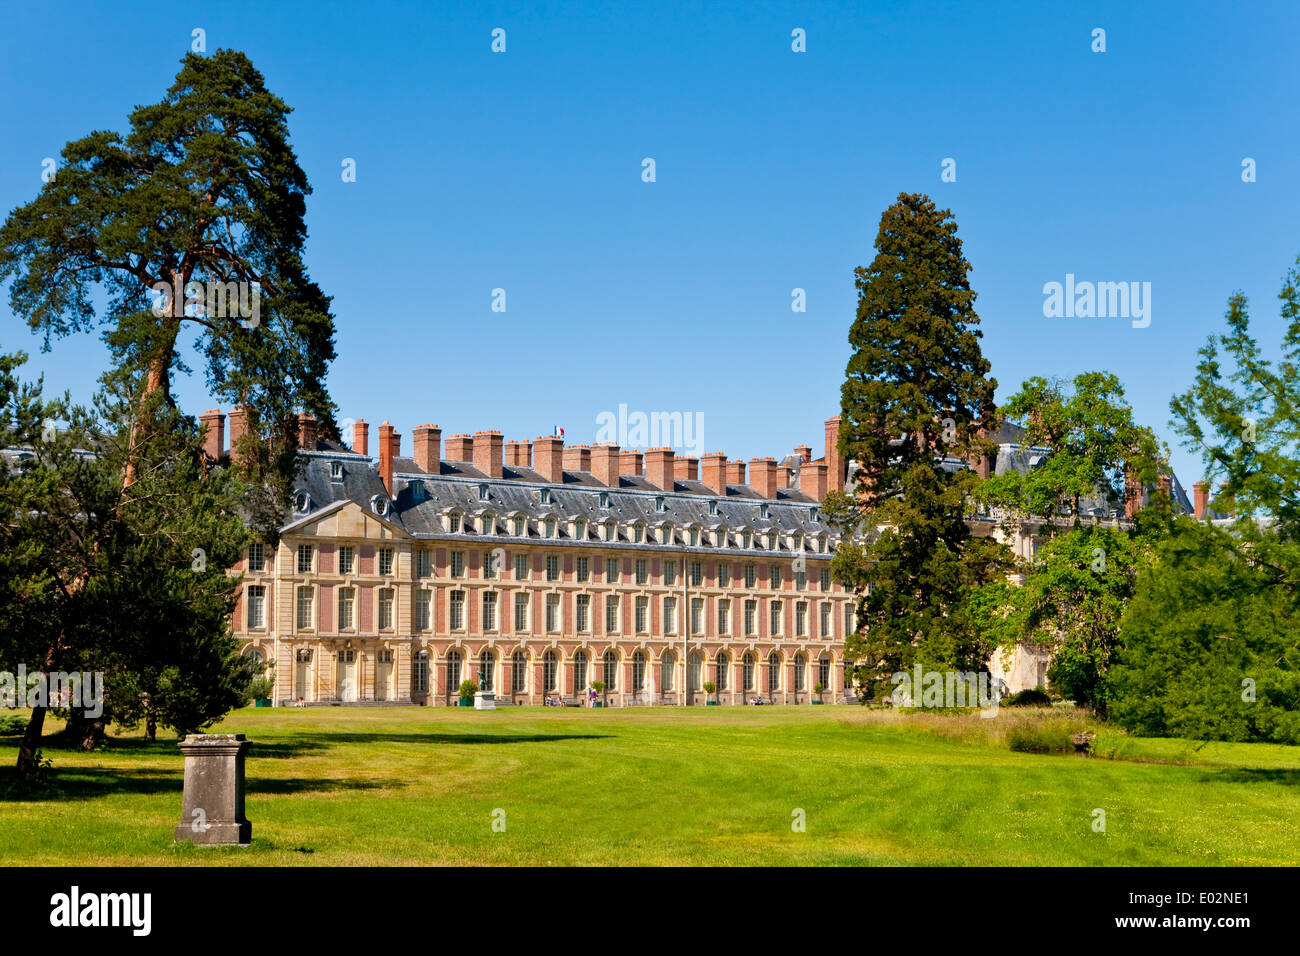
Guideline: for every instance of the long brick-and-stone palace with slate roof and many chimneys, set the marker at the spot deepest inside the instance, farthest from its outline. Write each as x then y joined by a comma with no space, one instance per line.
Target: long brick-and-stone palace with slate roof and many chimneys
543,569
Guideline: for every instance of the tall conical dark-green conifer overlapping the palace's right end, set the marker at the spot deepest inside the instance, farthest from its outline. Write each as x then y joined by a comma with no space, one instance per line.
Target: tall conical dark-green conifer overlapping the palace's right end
917,391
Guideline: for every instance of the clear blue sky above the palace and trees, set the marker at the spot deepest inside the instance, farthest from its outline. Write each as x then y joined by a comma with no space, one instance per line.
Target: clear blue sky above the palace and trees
522,171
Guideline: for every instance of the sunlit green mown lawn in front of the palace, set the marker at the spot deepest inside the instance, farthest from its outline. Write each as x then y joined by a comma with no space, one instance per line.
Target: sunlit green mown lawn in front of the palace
664,786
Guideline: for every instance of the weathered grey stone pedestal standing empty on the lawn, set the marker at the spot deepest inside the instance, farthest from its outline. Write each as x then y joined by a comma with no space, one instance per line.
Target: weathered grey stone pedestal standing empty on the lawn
213,811
